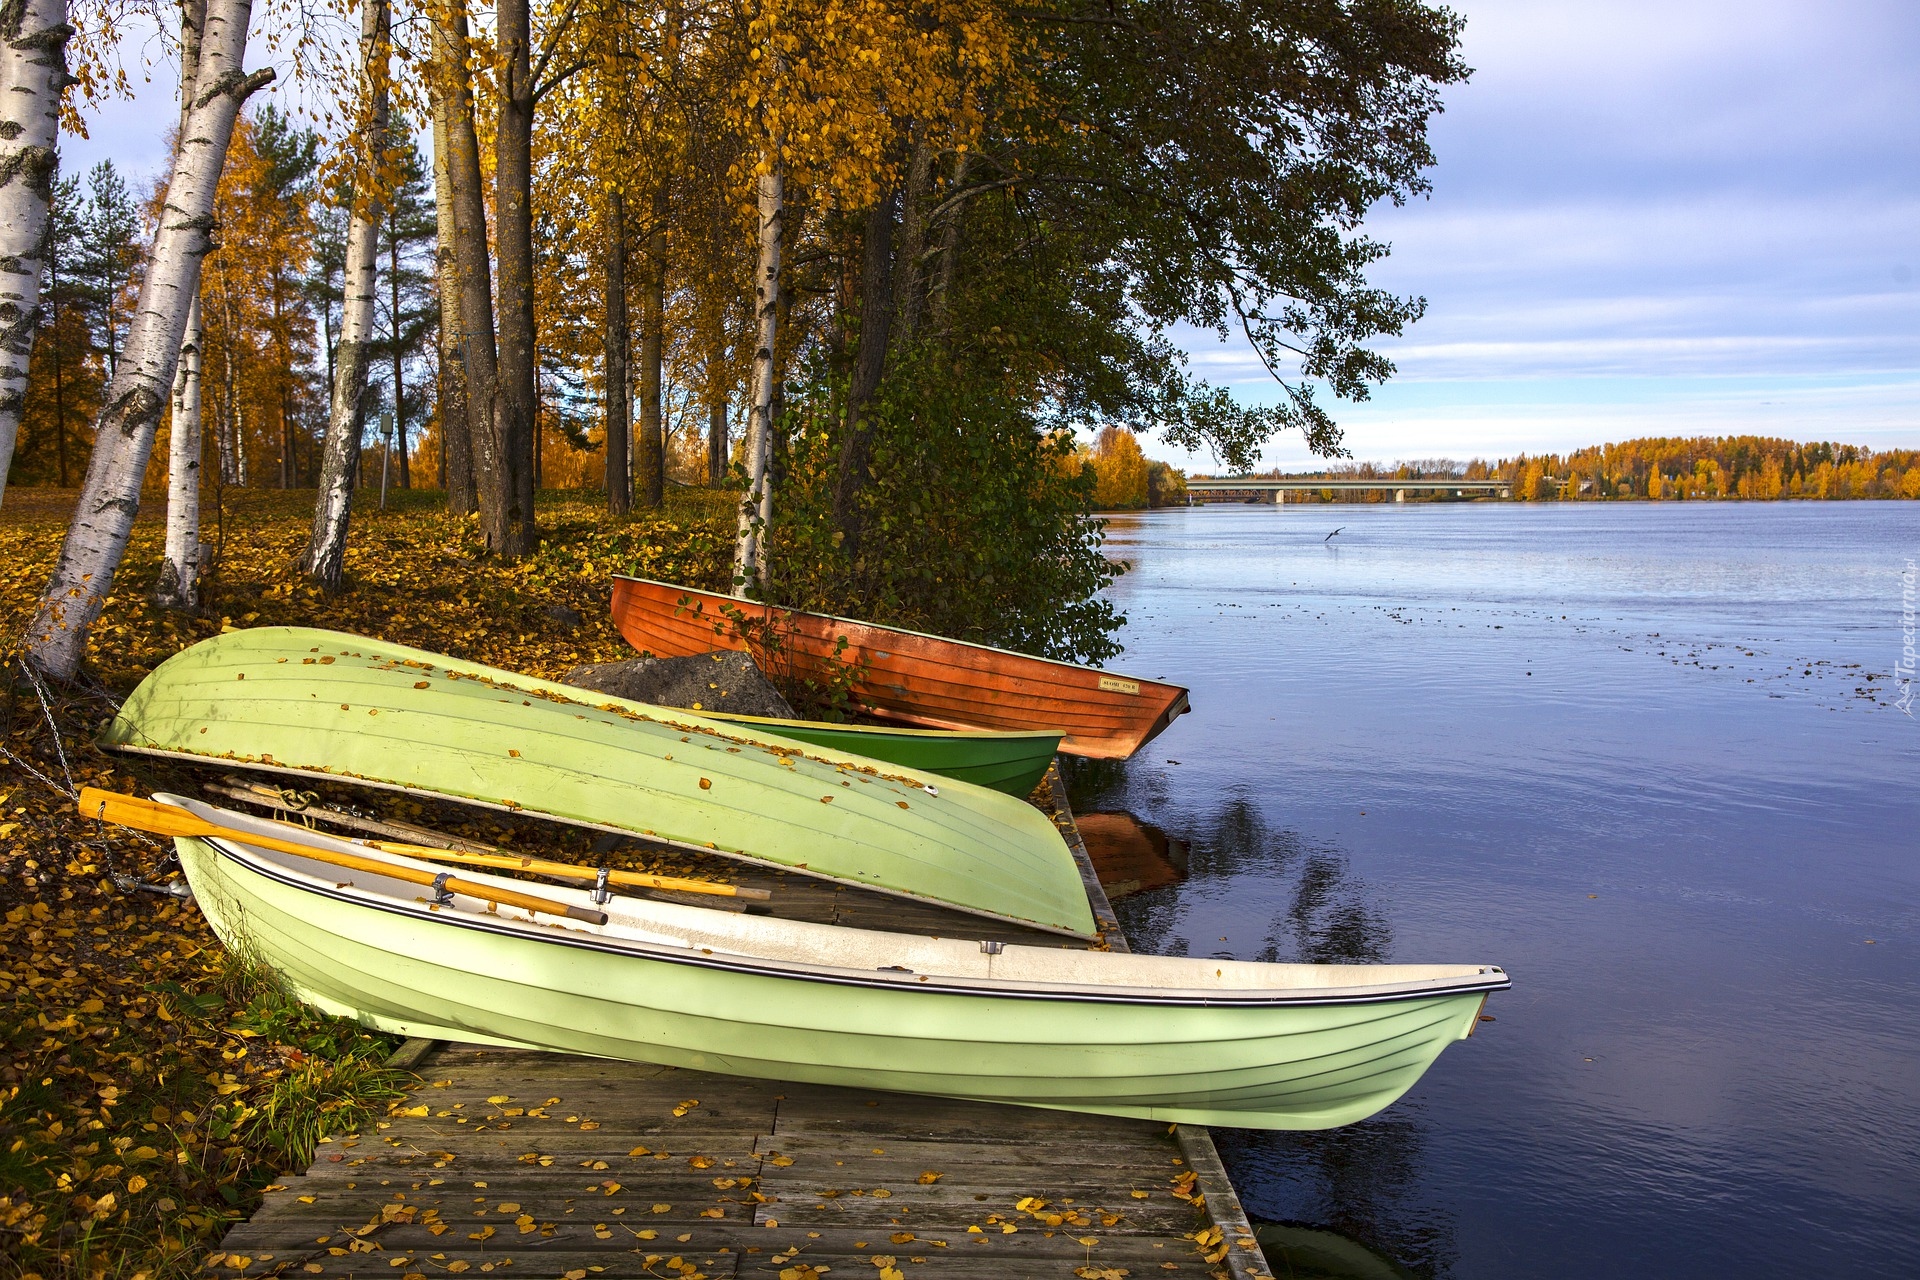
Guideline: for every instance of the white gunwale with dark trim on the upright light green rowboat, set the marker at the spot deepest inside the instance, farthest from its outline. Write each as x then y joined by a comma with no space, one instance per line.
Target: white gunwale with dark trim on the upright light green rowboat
1487,980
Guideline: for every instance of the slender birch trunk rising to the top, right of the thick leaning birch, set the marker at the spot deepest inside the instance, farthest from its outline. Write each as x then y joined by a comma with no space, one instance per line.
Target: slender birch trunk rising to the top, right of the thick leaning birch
327,548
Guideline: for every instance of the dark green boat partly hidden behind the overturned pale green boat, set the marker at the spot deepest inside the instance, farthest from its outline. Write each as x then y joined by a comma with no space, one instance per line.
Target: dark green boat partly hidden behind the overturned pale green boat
1013,761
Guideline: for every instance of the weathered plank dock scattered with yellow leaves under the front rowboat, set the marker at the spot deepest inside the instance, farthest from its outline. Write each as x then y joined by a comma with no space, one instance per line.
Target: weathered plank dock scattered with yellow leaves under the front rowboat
519,1164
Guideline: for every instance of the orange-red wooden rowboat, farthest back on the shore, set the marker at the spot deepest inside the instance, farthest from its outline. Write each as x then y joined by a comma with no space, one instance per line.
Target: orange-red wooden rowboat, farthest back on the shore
905,676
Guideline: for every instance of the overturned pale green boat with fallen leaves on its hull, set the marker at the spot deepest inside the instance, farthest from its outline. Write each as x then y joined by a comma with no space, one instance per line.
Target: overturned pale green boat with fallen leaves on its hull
324,703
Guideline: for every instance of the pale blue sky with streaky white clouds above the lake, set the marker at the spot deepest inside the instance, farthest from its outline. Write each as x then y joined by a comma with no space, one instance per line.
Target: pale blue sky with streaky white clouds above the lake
1648,218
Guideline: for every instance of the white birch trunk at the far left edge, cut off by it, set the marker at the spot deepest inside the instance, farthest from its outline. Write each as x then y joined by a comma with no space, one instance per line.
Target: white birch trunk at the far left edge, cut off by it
34,74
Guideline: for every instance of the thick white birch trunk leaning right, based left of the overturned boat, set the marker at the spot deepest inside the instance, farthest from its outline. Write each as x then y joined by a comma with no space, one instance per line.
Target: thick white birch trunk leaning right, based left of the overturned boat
124,433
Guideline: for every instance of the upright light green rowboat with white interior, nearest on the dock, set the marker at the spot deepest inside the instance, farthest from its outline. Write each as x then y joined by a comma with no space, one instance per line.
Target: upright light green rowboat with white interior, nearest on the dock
1168,1039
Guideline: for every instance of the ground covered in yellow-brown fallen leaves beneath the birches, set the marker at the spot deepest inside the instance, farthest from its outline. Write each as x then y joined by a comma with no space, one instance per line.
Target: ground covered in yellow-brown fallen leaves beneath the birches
151,1083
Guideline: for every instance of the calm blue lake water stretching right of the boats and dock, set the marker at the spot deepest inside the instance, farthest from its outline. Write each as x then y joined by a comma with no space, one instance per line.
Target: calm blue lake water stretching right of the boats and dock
1644,757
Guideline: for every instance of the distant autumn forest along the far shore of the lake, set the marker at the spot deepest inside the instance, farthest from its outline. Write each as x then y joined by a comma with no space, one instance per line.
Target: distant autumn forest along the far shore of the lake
1668,469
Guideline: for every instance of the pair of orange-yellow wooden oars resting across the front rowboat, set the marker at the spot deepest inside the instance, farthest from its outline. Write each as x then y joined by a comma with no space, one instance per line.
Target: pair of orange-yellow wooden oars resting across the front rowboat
178,822
